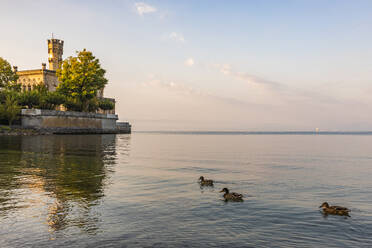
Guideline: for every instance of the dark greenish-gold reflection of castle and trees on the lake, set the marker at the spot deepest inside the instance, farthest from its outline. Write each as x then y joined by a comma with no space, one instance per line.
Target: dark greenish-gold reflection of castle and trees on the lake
62,178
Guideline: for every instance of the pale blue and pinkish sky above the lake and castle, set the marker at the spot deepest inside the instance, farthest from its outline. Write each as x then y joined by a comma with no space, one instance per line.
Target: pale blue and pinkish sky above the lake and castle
213,65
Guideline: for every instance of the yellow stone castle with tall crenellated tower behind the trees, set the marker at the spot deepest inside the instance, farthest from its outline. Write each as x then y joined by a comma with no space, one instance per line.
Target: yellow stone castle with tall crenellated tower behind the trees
31,78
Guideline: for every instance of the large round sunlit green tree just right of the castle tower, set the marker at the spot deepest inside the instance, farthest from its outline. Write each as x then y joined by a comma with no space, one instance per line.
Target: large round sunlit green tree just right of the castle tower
81,78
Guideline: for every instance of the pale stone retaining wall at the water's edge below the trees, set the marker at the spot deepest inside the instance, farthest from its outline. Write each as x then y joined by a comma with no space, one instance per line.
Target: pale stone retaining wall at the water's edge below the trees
68,121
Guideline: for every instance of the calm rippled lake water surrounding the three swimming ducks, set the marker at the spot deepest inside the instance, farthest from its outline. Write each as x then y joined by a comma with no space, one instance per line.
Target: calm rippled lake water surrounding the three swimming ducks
140,190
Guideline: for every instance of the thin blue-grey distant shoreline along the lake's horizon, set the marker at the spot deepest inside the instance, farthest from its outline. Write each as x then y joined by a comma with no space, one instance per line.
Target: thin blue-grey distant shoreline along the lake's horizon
260,132
